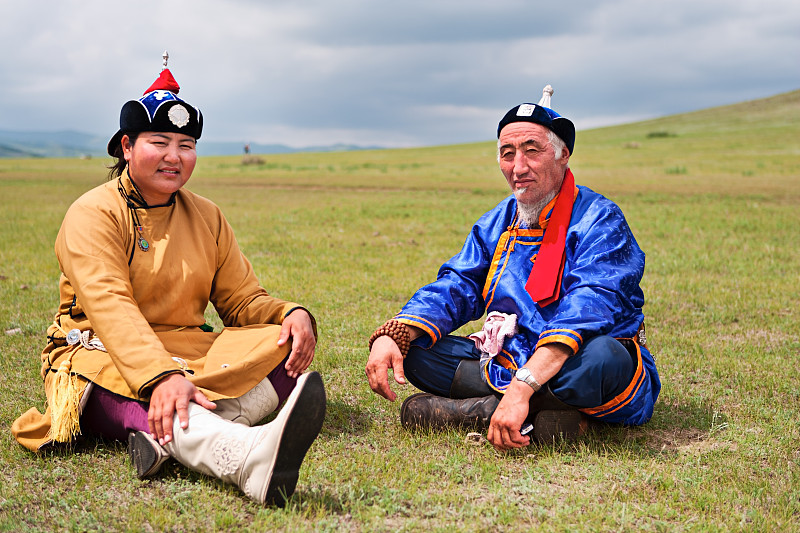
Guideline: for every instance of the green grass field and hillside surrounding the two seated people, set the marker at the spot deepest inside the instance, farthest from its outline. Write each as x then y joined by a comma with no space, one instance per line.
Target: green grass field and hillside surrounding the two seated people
713,198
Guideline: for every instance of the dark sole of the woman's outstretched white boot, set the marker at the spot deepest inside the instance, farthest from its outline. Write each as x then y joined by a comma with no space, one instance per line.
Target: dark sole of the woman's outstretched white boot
302,426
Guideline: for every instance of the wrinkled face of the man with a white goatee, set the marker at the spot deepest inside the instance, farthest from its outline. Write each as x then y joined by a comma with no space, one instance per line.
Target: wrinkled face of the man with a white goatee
529,164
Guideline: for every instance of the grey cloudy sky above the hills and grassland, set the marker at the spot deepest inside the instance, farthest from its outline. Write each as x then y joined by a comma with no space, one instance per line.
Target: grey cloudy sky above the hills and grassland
399,73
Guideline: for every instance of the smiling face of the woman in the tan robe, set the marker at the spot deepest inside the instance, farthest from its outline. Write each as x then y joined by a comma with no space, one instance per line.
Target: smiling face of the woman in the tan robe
160,163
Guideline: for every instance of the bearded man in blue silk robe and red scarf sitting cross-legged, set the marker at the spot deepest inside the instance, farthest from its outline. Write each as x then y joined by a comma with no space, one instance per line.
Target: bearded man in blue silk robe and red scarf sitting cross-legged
556,270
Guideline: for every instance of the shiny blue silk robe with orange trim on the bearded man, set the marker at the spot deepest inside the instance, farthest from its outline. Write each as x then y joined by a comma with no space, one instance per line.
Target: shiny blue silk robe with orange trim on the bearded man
600,293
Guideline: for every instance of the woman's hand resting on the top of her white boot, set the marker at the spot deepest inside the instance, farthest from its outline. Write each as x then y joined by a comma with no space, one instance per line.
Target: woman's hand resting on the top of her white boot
170,395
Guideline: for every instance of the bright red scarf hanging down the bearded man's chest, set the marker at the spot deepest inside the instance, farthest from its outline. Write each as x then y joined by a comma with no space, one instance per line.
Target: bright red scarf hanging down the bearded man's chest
544,283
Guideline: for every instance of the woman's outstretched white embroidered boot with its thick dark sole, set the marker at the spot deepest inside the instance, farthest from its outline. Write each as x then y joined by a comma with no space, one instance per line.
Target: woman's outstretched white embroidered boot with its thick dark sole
263,461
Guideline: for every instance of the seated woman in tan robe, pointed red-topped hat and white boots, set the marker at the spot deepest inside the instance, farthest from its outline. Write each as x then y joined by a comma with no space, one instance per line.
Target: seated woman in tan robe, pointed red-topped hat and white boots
129,355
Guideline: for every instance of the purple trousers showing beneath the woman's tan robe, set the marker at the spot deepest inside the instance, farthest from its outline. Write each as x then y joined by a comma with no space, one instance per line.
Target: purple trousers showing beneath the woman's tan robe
112,416
